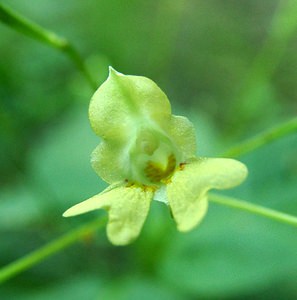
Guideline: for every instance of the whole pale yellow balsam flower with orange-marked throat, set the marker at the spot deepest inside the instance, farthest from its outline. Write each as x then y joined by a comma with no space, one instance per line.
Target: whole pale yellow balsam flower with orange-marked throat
147,153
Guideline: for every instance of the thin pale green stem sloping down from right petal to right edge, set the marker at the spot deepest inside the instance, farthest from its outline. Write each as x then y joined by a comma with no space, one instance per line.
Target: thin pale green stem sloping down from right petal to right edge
253,208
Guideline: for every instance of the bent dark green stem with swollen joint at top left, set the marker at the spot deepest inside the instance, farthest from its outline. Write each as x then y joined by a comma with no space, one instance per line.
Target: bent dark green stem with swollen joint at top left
33,30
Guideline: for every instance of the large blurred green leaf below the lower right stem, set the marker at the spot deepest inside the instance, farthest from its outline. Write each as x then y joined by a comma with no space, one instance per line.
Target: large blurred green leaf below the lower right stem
229,254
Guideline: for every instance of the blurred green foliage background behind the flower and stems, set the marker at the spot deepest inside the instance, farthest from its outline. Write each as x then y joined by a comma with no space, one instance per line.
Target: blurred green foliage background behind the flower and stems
230,66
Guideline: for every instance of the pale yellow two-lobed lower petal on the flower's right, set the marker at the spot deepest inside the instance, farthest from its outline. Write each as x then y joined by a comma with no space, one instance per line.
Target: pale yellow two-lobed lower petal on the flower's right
188,187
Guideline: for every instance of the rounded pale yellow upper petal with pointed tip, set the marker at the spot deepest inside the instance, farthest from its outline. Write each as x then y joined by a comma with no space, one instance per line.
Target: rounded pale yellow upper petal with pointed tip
123,102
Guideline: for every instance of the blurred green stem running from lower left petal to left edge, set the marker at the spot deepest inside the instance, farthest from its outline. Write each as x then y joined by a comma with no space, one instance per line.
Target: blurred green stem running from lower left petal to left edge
49,249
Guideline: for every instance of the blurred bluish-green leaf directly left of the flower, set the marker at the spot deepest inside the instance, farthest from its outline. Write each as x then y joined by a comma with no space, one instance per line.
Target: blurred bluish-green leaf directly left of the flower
61,162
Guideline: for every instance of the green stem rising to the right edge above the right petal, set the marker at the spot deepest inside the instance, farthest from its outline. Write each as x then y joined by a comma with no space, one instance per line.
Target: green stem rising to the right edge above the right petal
262,139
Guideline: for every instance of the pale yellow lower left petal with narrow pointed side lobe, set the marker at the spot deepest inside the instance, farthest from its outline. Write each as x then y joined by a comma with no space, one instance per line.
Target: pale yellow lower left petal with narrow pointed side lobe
127,210
